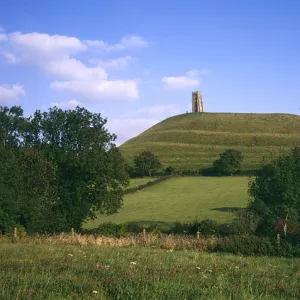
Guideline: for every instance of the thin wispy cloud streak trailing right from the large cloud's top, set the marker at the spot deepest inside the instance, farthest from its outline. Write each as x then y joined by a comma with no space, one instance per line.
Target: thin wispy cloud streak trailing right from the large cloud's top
127,42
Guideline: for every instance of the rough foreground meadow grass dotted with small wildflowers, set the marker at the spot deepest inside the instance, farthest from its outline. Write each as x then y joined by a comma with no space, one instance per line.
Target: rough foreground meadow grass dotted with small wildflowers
91,272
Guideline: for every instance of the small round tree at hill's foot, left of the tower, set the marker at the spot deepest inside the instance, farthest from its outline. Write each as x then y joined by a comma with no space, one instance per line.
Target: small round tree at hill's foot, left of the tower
147,162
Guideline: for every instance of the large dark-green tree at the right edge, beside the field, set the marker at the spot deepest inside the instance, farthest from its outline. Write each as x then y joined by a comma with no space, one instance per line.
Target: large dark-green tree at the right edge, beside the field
275,194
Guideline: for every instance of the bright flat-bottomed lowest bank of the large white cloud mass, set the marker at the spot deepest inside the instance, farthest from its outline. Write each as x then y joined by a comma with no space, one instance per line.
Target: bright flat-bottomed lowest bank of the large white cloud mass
105,90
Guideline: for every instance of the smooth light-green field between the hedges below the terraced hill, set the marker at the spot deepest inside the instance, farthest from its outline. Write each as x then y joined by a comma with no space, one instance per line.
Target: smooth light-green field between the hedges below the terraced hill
182,199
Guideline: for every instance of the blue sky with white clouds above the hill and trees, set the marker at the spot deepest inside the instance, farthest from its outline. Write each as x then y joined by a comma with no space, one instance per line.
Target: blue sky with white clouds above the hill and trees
137,62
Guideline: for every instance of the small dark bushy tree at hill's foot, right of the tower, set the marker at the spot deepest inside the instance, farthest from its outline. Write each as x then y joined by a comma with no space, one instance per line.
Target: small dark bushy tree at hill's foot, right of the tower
229,162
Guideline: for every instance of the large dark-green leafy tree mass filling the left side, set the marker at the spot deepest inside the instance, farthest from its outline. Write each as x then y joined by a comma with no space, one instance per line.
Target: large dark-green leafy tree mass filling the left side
67,168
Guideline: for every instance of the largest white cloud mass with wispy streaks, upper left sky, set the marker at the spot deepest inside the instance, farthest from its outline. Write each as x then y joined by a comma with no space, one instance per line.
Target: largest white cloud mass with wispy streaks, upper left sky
54,54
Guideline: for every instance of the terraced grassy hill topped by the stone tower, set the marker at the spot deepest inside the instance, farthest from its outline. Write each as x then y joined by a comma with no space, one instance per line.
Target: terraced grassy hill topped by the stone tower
194,140
